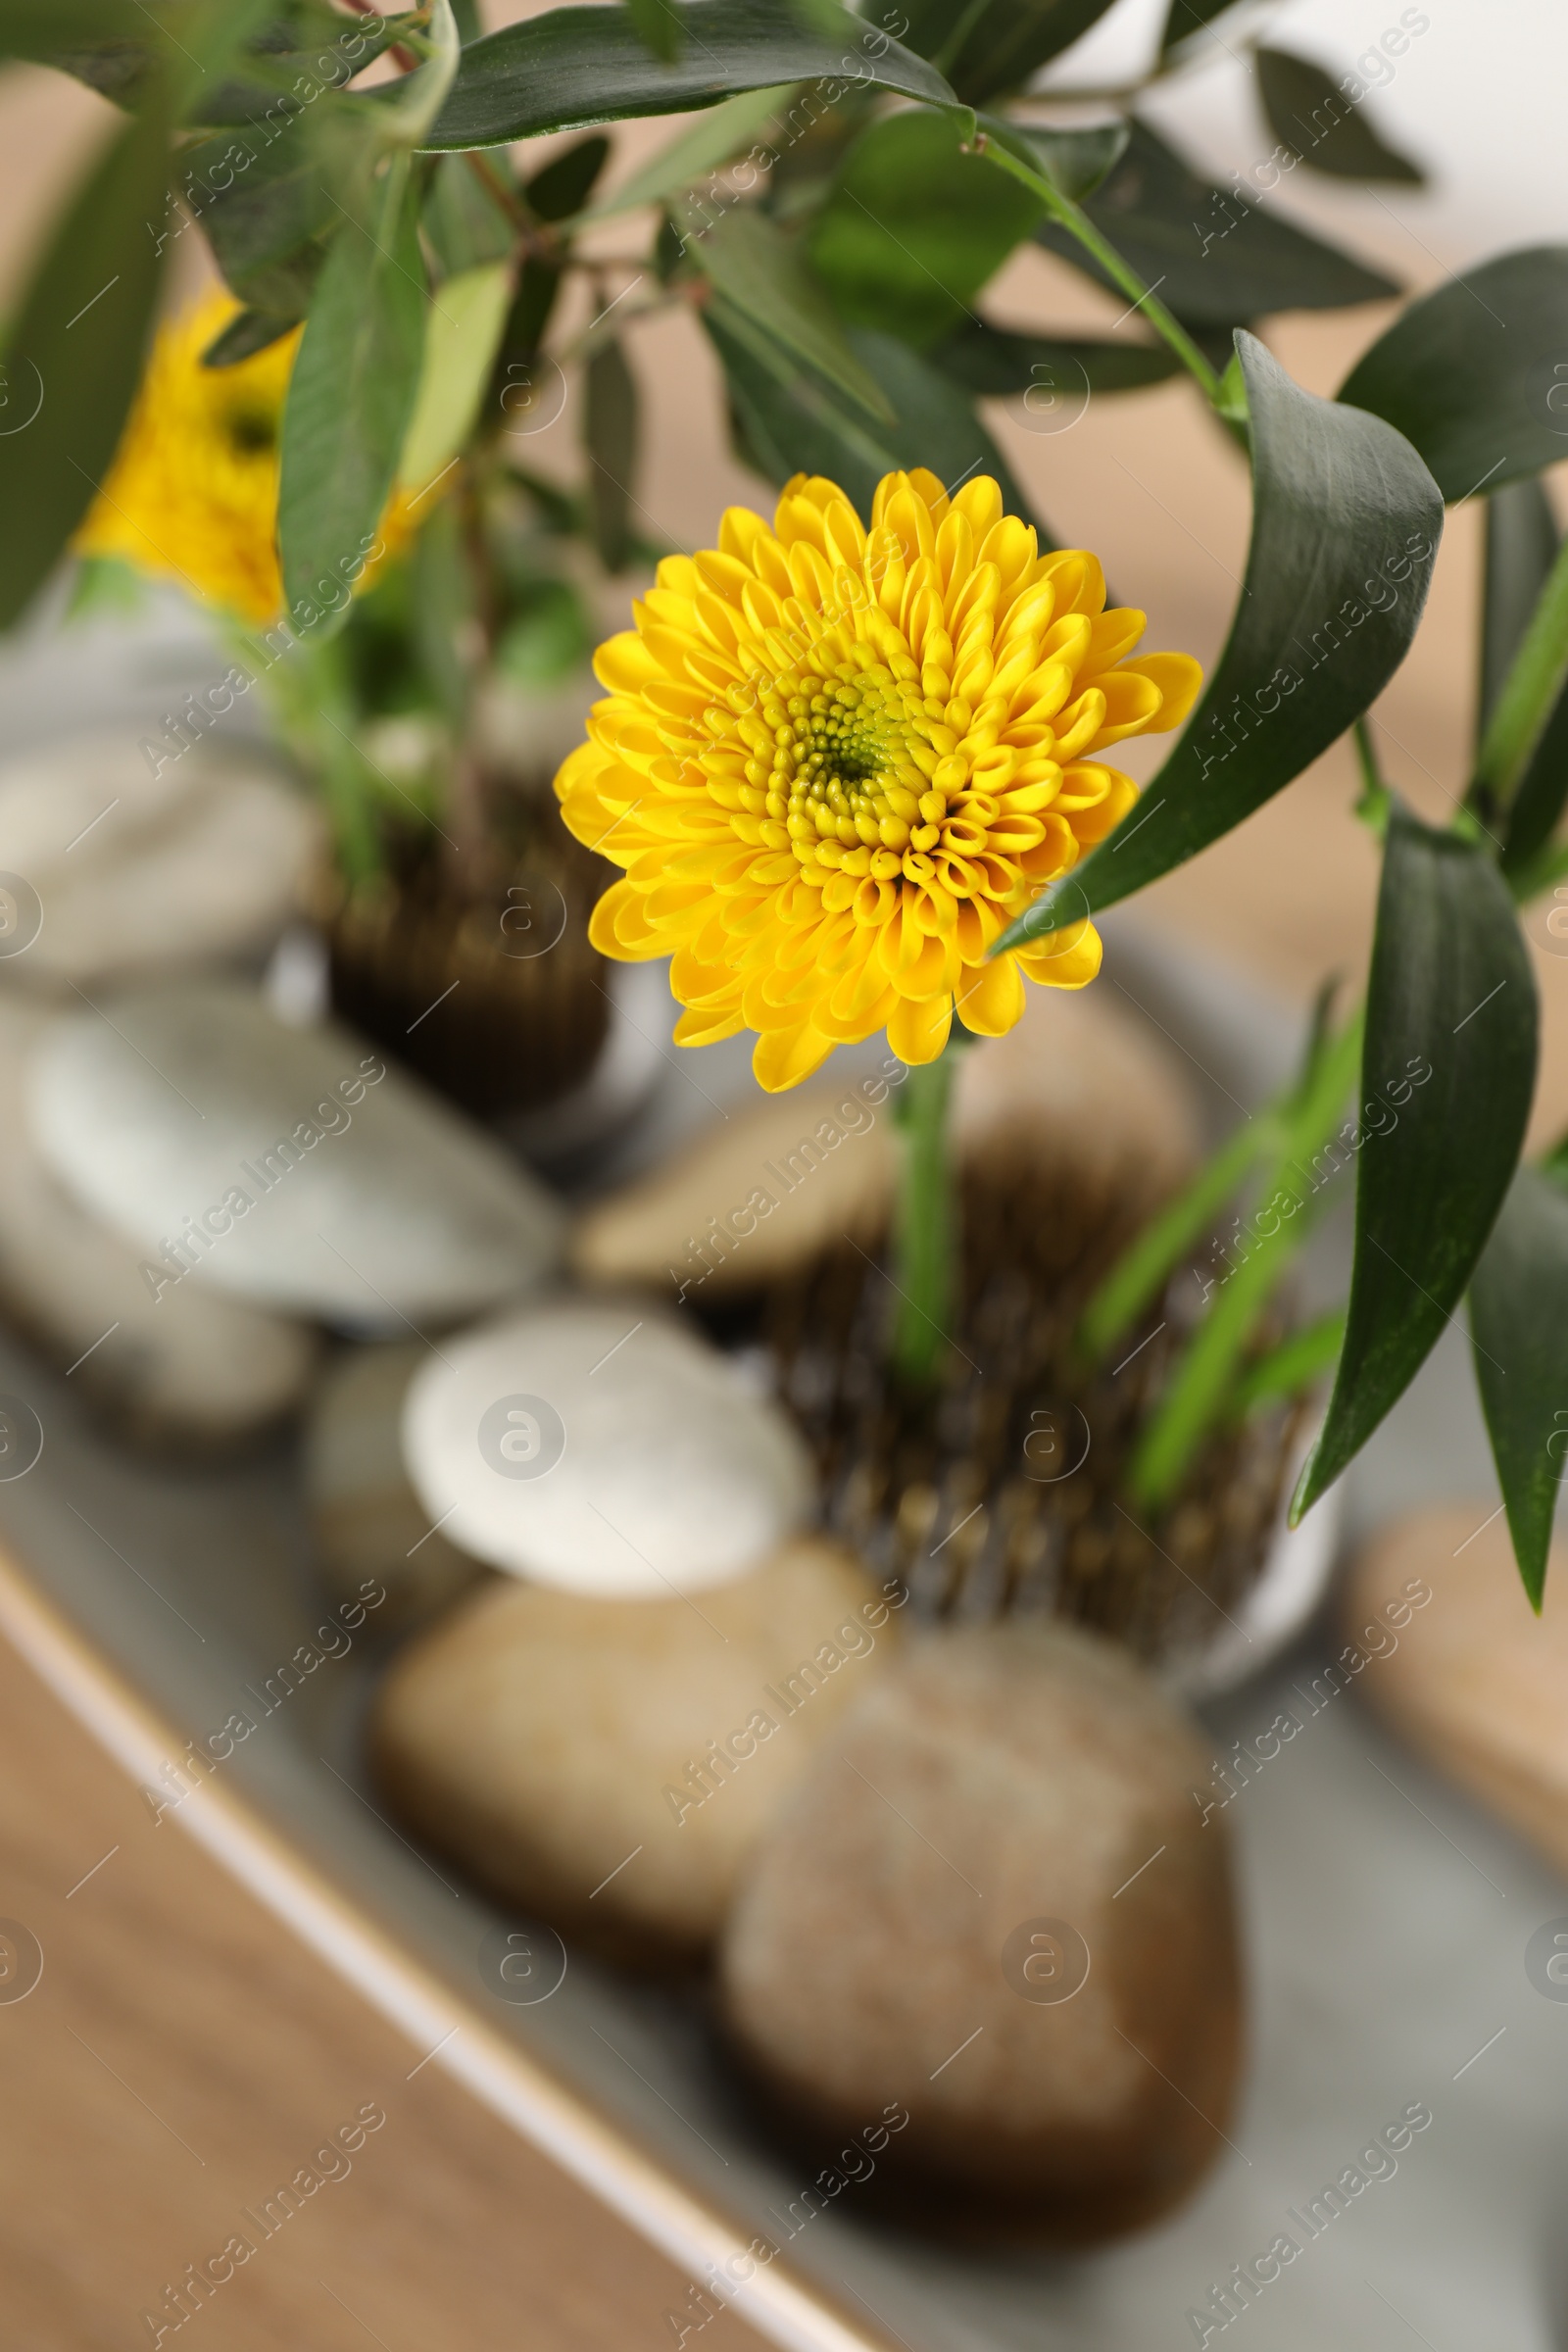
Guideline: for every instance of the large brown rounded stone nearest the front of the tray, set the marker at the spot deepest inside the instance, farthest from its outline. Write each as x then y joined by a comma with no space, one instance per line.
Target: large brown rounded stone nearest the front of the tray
1003,1812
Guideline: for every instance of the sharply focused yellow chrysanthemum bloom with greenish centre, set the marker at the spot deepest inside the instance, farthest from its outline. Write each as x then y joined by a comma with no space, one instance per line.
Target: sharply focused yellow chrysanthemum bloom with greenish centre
838,763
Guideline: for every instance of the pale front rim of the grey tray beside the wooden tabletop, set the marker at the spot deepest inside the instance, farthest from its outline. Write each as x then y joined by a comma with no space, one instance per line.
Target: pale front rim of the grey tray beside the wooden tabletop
420,2005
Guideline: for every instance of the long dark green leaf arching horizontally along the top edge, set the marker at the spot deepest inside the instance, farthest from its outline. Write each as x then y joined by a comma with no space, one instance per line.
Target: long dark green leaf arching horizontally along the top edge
587,65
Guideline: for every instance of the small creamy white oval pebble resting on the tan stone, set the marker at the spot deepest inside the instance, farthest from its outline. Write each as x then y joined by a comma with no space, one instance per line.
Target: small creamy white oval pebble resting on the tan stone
603,1450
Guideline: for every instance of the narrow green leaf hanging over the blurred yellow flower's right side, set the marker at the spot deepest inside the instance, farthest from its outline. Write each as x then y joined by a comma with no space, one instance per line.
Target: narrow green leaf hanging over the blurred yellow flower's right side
351,394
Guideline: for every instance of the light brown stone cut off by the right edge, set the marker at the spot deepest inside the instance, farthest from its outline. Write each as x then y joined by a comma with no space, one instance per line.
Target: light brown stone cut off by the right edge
1470,1678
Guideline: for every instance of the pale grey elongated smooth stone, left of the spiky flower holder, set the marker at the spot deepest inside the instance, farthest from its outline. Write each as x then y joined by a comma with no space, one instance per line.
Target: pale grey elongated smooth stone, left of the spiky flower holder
321,1180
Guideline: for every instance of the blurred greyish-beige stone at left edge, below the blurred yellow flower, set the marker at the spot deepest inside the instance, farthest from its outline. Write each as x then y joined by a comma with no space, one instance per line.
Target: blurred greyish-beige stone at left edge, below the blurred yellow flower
147,874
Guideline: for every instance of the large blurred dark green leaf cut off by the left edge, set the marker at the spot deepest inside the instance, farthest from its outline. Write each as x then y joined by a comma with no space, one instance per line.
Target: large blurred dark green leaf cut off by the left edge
74,352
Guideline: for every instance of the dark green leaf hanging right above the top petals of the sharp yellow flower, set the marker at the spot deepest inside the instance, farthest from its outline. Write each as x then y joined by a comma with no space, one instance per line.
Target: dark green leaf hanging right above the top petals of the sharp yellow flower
808,427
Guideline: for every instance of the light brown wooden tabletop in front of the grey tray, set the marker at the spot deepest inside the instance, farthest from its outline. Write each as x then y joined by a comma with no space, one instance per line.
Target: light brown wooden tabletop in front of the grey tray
182,2057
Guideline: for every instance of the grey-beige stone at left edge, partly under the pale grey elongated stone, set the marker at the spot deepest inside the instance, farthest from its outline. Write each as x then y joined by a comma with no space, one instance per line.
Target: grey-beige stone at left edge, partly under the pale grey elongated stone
187,1368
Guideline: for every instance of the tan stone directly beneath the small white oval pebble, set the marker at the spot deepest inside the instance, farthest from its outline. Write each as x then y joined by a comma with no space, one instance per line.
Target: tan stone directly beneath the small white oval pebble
608,1765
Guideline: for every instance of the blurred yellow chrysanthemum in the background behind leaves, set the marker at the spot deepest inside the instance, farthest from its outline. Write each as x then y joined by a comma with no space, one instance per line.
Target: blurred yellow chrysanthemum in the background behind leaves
194,488
